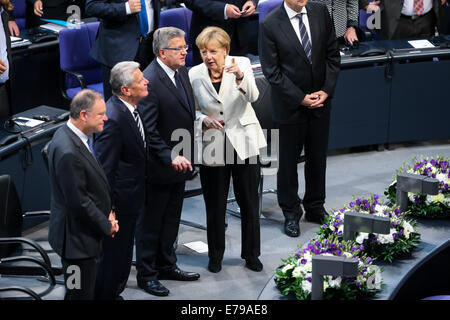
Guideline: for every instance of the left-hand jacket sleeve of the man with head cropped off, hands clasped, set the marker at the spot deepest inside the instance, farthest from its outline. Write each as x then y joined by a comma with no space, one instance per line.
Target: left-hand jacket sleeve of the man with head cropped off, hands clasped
268,54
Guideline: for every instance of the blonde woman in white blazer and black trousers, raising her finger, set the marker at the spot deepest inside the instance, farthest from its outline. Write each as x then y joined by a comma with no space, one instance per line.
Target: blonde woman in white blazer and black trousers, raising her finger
229,137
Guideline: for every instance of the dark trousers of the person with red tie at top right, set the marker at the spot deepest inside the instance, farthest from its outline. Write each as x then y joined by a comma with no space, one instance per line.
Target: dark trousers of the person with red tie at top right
421,27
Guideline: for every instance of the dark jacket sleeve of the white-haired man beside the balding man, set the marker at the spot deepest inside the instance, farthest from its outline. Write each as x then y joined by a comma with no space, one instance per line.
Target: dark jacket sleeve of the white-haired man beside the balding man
107,150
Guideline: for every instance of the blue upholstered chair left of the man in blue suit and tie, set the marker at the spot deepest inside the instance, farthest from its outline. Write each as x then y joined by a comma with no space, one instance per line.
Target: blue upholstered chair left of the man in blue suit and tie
79,69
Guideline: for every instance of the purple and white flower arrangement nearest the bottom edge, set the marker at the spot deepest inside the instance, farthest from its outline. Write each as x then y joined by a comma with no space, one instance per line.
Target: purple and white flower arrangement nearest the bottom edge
295,275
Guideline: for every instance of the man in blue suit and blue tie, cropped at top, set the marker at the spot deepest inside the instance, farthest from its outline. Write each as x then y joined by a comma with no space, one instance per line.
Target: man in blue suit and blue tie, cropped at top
125,33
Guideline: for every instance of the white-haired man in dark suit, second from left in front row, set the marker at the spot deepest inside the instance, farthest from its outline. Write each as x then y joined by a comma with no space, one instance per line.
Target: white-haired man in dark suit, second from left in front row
121,149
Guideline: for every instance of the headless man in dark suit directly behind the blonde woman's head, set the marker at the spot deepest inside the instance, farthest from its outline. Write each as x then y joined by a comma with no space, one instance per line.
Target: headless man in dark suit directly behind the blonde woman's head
230,15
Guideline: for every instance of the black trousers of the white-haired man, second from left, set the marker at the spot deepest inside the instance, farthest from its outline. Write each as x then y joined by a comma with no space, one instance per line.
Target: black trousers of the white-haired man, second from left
115,260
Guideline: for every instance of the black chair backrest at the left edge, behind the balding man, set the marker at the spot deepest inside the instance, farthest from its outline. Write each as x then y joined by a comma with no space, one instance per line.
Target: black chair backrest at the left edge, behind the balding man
11,219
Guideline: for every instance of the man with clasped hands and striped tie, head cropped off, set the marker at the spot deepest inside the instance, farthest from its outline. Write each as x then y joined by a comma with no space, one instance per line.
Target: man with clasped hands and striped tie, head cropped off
300,59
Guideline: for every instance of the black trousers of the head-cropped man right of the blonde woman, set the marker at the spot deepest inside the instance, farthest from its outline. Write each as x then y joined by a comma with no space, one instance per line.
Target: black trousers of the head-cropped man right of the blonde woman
312,134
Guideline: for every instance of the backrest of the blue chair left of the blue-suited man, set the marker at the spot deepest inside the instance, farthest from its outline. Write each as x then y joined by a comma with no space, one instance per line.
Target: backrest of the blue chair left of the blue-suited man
74,47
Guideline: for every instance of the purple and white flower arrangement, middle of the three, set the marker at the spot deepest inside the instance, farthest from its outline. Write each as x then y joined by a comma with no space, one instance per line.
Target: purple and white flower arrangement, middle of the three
403,236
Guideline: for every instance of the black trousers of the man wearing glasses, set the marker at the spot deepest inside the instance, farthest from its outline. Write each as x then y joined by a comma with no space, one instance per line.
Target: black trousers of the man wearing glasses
158,230
